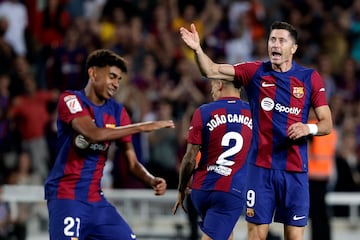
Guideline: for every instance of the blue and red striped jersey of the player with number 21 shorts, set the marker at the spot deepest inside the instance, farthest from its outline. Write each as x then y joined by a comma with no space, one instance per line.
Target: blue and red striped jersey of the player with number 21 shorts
77,172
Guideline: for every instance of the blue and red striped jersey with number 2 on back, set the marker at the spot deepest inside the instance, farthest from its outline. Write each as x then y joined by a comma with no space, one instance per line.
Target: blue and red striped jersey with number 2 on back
223,129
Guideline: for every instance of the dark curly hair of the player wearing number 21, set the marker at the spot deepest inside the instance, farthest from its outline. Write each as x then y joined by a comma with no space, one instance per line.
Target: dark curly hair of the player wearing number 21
104,57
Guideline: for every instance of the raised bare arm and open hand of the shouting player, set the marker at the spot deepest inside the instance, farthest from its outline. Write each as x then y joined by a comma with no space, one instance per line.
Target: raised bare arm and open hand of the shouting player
207,67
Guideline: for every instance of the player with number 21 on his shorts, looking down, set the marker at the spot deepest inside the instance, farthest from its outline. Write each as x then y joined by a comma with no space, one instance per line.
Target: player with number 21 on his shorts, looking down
88,121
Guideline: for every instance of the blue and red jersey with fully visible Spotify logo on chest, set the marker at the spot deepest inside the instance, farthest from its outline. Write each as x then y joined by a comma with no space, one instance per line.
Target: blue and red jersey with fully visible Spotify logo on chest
277,100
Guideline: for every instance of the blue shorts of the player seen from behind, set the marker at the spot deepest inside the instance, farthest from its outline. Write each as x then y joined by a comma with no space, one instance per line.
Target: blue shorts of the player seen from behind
219,212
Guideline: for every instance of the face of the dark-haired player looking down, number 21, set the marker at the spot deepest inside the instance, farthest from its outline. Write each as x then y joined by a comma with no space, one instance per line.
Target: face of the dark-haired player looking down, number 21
107,80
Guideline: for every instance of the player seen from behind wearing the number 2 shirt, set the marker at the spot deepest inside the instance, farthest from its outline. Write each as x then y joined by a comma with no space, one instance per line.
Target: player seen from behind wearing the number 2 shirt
221,131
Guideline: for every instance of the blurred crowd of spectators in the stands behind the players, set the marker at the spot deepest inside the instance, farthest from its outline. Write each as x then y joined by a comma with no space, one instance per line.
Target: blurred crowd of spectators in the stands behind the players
44,45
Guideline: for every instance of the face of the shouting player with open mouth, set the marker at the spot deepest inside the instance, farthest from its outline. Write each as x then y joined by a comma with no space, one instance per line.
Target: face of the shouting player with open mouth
281,47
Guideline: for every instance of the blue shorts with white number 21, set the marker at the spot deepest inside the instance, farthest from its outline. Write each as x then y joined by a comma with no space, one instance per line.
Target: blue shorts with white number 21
75,220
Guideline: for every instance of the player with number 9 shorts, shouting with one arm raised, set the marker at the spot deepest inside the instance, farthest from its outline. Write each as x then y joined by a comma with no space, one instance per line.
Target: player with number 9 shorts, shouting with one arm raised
280,94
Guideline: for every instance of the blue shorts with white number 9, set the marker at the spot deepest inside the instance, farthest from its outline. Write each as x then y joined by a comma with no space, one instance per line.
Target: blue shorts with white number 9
271,191
